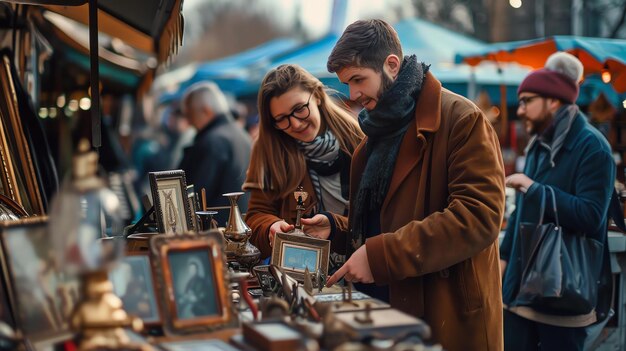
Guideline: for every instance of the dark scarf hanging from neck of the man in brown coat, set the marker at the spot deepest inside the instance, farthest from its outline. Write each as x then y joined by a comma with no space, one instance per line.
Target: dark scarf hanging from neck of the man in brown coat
385,126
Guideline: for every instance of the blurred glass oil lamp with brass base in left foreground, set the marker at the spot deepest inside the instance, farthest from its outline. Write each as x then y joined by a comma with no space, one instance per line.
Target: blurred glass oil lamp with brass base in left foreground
82,213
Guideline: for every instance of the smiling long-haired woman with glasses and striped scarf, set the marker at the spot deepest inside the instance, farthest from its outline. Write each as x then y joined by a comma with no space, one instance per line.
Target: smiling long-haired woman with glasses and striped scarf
305,139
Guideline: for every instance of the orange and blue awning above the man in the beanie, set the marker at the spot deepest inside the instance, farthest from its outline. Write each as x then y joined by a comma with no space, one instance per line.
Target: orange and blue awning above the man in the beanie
598,55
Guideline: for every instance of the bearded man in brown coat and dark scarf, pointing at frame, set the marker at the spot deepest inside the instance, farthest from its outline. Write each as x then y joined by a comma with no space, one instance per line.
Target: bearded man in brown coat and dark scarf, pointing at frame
427,194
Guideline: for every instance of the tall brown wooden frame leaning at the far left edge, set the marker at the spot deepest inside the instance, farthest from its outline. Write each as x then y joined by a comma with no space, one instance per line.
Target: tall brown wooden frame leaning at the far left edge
19,176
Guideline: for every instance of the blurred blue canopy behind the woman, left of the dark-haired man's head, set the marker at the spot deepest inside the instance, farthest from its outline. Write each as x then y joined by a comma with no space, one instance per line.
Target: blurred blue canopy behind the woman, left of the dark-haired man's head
230,73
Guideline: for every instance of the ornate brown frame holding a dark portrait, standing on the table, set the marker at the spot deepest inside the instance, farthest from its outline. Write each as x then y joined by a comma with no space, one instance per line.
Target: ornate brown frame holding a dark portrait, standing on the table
191,271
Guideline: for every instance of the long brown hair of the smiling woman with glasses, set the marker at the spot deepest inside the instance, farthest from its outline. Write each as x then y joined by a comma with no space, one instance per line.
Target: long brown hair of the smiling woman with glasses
276,162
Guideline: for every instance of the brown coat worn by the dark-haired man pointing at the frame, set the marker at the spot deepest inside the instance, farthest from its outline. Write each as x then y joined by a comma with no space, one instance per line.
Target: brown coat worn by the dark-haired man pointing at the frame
440,222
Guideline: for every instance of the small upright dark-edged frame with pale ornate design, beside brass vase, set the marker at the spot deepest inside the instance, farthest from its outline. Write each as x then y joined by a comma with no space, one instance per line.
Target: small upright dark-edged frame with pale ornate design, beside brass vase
169,195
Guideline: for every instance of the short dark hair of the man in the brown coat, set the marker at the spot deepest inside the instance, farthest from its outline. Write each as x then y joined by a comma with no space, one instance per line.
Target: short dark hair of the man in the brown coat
365,43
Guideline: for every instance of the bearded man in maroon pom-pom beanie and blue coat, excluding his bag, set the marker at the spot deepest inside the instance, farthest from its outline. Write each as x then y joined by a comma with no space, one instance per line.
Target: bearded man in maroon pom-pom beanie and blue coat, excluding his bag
572,158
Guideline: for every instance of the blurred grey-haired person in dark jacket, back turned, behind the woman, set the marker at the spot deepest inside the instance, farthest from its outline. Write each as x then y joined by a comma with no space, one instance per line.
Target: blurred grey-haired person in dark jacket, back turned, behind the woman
219,156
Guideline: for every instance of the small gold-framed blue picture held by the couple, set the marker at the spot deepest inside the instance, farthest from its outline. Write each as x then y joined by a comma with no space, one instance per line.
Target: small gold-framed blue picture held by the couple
296,253
